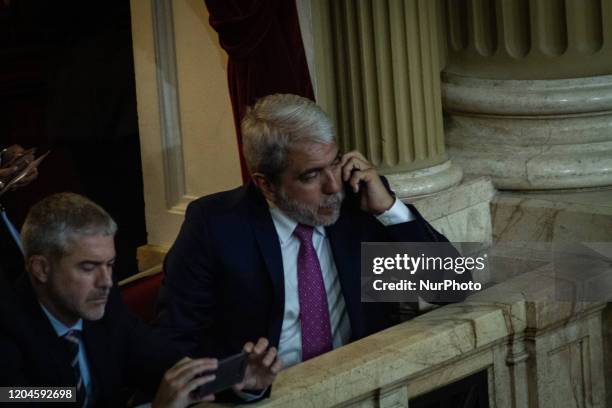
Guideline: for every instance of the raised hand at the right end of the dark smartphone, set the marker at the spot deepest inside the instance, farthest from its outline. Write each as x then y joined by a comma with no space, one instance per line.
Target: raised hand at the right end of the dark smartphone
262,368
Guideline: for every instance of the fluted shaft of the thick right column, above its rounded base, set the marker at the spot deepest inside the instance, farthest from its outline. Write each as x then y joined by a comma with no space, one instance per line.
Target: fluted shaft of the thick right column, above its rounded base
529,39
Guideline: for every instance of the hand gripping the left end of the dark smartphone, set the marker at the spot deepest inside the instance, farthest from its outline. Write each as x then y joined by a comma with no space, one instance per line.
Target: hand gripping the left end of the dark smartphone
175,390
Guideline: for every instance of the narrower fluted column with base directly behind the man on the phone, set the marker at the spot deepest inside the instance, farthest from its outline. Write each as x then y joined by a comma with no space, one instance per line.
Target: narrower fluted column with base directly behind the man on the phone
378,75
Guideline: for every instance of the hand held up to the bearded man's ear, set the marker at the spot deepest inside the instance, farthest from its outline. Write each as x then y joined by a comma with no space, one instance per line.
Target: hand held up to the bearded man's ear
363,178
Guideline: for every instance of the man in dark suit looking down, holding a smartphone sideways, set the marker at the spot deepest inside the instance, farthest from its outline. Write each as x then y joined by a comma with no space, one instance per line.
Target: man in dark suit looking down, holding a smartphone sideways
65,325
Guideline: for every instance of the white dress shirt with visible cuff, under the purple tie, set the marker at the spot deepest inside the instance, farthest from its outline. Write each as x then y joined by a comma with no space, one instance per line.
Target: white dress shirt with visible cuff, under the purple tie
290,344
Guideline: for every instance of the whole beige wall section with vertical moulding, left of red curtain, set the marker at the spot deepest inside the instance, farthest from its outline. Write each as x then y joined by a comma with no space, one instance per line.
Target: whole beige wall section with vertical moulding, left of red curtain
185,119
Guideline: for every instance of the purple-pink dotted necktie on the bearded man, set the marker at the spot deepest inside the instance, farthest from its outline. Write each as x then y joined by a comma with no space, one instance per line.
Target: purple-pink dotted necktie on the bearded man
314,313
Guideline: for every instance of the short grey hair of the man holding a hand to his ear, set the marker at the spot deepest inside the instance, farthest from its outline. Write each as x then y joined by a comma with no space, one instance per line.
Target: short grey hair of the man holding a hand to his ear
274,123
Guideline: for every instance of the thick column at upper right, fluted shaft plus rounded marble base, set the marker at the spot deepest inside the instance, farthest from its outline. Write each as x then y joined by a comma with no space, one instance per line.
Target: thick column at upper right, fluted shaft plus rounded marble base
527,91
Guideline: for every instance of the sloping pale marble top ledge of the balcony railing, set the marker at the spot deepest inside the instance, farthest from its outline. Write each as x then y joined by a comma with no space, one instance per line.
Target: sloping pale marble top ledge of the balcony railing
391,356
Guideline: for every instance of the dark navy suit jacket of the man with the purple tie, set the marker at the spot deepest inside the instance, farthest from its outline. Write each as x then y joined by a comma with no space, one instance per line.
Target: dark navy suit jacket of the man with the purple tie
224,274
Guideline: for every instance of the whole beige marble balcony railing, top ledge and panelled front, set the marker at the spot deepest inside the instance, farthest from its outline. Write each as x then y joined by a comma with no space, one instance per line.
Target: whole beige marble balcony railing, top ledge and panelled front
537,351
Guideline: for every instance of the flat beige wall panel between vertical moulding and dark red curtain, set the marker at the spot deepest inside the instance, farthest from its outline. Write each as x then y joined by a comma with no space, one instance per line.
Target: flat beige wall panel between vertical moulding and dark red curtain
210,148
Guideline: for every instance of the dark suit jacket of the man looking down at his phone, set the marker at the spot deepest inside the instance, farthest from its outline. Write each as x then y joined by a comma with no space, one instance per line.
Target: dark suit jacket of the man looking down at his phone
122,352
